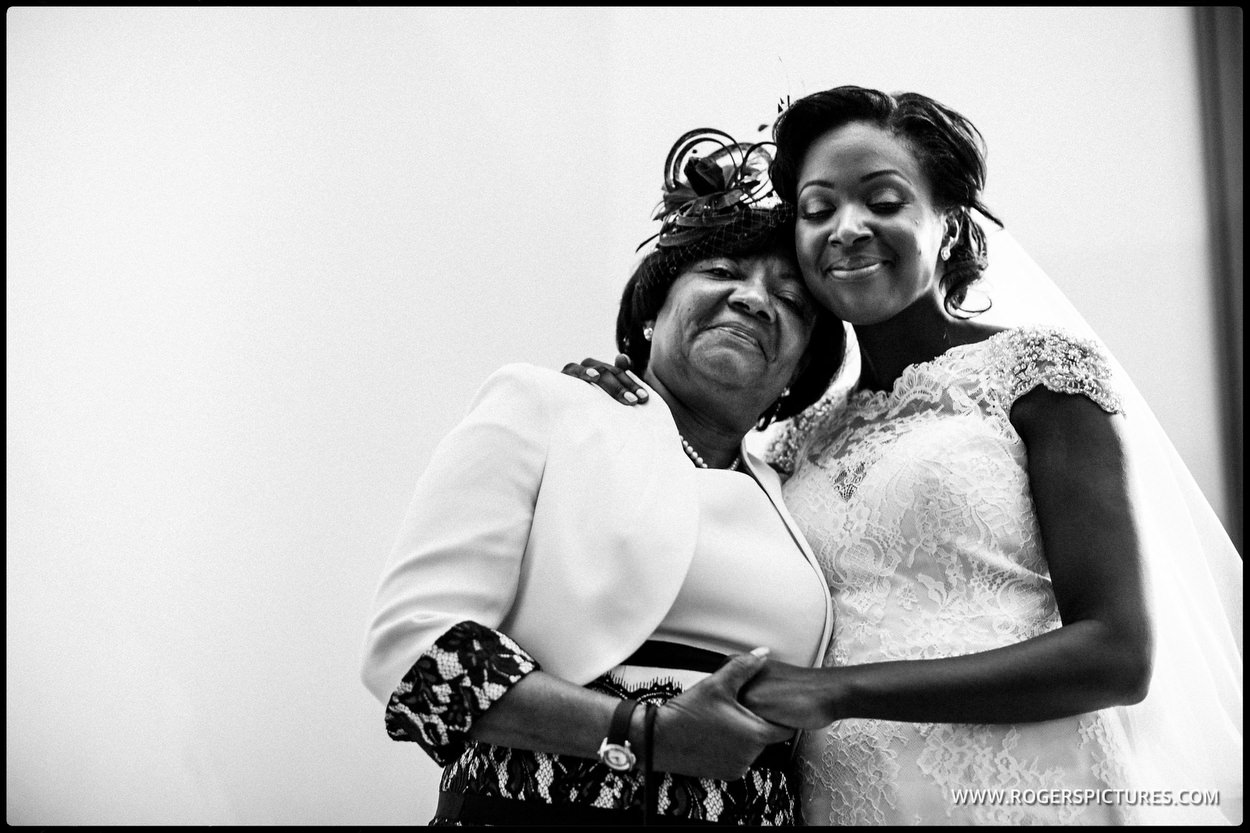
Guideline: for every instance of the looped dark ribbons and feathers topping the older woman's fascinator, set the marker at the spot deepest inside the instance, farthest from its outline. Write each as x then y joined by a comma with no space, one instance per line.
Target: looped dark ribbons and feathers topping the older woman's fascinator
711,181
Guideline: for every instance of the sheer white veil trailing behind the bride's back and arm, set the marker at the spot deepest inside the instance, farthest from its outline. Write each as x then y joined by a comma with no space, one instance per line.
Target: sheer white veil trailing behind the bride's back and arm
1187,735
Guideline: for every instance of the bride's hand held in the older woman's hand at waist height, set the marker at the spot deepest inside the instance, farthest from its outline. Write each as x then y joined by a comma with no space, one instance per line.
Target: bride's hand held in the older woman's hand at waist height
804,699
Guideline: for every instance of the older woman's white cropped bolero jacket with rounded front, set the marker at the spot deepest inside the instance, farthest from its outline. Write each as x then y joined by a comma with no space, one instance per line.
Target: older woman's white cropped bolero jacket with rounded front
553,515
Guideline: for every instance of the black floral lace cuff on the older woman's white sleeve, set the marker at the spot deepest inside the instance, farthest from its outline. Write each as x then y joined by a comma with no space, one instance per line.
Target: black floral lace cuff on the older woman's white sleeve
463,675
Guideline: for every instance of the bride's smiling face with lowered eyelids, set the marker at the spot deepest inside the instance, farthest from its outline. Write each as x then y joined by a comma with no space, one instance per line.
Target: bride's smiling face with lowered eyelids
868,232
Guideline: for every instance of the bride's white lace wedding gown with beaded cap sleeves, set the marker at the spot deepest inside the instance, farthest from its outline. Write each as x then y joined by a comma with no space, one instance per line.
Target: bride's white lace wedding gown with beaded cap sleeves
917,502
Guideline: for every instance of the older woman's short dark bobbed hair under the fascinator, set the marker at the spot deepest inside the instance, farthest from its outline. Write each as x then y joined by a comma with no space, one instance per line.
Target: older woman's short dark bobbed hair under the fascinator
756,232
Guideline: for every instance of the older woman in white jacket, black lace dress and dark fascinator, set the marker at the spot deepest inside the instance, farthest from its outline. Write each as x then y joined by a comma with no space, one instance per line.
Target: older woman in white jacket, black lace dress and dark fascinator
566,560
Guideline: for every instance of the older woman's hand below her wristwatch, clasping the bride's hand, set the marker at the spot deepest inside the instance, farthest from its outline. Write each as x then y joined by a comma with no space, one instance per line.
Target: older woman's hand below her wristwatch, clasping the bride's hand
707,731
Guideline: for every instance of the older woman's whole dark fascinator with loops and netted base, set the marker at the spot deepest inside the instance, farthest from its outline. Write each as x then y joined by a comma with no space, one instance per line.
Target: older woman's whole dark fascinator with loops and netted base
718,199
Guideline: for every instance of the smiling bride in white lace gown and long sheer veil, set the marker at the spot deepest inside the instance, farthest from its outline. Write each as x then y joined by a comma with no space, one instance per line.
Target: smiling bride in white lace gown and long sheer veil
1014,612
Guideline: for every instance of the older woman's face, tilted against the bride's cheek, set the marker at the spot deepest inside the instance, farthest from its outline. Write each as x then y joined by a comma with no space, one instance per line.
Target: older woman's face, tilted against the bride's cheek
738,323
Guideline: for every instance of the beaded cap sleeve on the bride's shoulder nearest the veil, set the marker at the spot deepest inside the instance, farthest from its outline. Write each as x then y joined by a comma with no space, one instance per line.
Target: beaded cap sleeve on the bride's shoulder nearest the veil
1061,362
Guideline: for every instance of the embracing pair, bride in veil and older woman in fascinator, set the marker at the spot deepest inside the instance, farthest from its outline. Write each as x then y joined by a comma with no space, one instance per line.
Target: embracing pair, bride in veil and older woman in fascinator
969,560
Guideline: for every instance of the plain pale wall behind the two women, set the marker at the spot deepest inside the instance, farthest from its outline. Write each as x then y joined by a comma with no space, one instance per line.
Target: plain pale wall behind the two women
259,260
